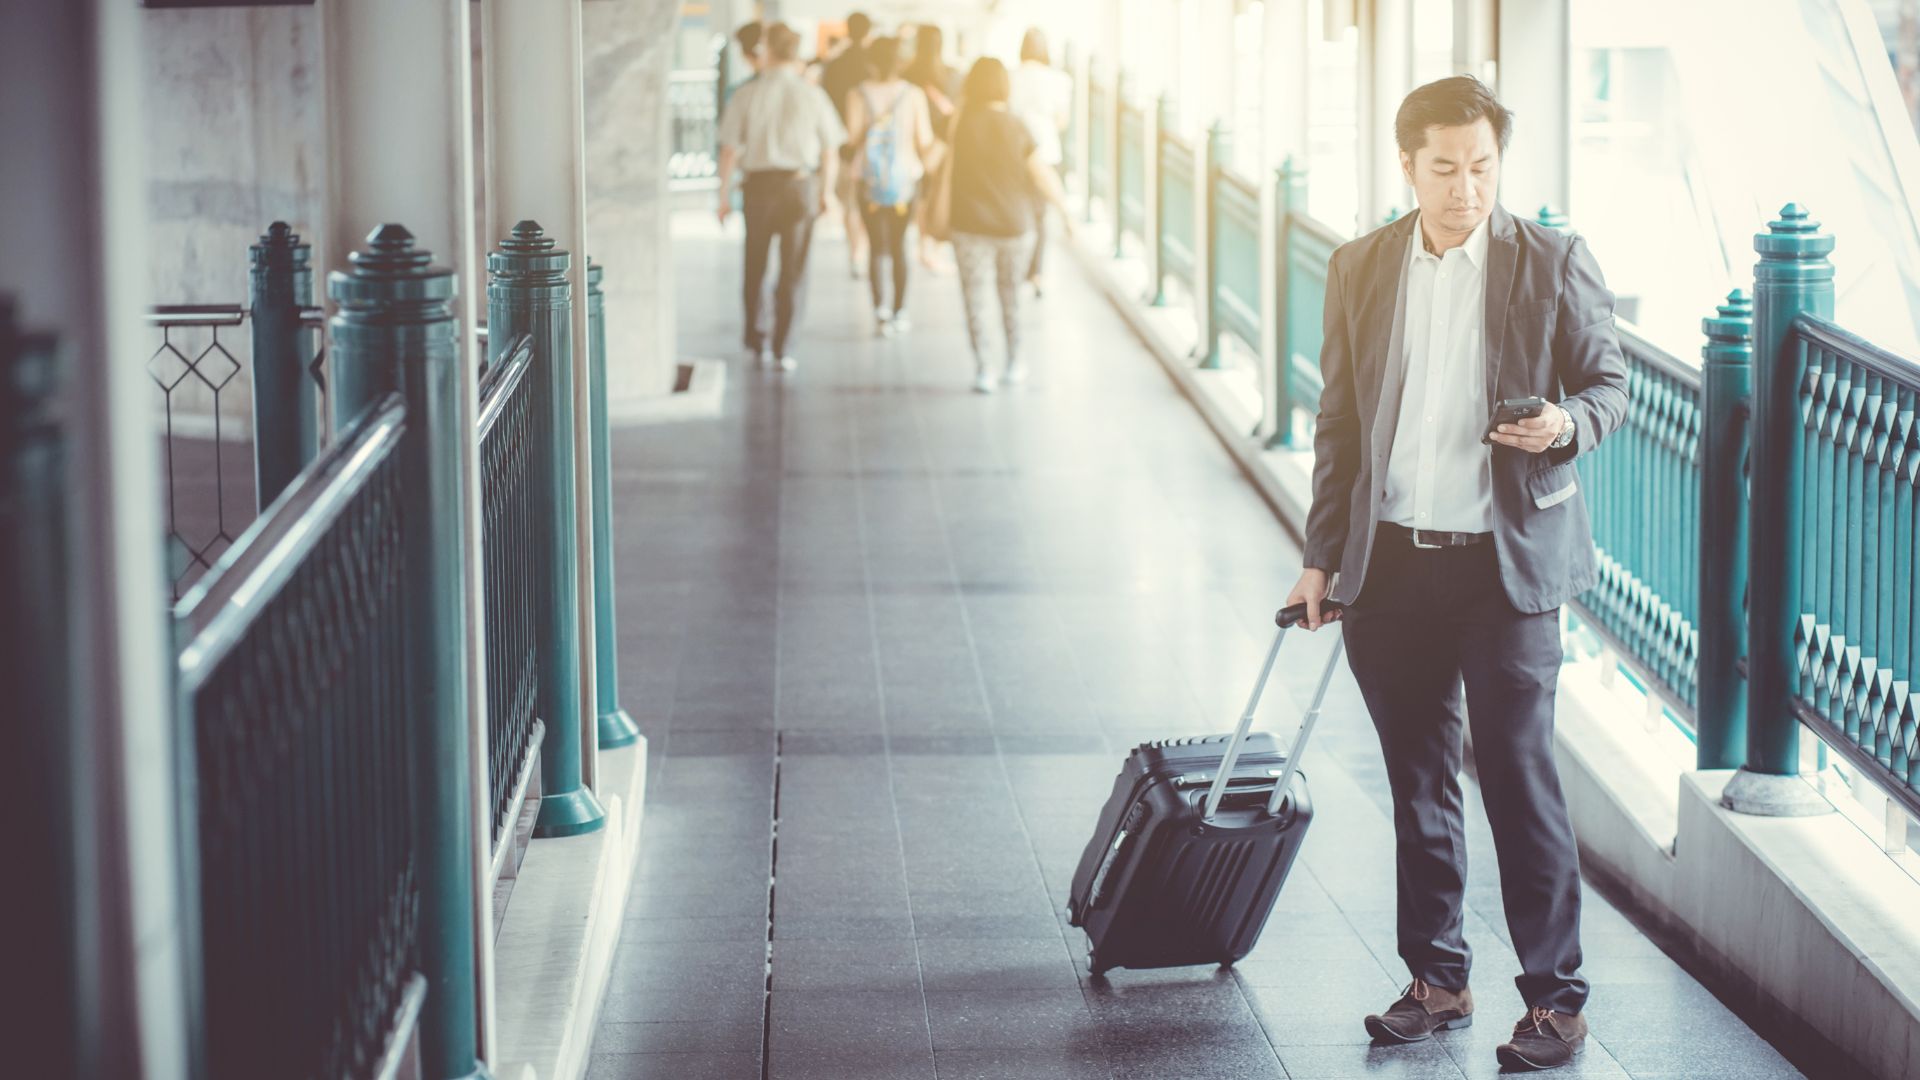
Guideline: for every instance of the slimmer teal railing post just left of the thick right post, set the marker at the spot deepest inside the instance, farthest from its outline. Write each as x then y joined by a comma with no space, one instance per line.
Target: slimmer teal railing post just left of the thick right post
1727,391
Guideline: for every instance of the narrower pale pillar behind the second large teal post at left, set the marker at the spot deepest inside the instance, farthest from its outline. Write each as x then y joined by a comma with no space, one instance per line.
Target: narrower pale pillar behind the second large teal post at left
539,170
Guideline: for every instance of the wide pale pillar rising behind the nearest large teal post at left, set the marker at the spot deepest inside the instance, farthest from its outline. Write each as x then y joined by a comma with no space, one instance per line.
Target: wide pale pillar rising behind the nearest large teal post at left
398,80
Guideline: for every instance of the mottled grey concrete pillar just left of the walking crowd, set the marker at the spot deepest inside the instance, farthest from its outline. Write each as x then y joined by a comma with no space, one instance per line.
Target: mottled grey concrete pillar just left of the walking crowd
627,61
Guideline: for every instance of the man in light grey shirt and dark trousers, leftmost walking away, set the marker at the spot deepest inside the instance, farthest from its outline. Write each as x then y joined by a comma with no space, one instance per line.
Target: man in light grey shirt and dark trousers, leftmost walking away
784,135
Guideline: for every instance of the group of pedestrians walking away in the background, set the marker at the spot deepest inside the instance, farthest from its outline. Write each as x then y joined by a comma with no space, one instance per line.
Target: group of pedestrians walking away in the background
880,132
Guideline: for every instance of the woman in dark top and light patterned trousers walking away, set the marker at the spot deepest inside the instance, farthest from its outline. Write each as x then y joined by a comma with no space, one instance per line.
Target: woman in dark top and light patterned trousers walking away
994,185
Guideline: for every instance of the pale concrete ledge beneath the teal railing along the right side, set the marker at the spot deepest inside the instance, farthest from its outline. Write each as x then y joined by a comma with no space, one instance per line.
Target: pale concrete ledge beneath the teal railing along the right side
1802,923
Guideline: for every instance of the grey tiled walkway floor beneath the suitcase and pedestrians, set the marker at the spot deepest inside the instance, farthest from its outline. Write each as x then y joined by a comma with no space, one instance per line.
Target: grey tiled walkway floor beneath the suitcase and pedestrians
921,629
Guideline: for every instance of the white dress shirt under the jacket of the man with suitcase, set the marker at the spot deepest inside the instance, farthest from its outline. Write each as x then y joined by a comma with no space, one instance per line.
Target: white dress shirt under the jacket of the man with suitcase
1439,474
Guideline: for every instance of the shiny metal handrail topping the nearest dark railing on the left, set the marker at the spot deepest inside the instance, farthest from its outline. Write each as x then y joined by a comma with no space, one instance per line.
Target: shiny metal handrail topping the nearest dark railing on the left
218,612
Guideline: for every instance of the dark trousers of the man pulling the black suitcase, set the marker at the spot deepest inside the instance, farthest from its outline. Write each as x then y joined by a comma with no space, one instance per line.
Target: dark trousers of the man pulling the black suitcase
1428,626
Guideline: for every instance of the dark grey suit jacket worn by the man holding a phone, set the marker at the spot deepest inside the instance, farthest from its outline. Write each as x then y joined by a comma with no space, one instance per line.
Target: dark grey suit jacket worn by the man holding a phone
1548,333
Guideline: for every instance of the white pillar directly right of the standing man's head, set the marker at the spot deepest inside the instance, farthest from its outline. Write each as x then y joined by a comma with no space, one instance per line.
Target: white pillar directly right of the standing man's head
1535,53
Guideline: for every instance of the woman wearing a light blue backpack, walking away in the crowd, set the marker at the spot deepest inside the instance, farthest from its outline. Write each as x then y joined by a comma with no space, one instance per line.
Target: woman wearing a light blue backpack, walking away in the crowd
892,135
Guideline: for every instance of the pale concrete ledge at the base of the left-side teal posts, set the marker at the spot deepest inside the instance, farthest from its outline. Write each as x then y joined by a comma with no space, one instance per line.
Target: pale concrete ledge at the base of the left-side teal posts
556,946
